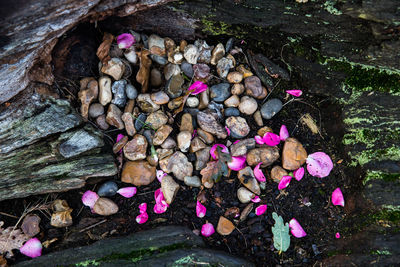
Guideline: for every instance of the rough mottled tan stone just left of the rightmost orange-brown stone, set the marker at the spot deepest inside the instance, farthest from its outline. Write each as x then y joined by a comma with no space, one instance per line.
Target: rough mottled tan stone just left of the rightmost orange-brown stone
266,155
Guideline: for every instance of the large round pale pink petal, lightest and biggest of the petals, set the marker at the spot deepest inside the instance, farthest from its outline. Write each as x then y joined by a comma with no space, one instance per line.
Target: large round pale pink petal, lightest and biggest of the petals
319,164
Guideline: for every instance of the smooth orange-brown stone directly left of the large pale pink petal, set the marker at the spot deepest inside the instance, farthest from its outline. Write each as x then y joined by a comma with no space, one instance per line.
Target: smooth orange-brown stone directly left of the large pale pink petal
293,155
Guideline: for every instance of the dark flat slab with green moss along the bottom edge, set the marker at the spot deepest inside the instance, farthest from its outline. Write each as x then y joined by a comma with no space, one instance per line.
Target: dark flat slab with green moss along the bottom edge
163,246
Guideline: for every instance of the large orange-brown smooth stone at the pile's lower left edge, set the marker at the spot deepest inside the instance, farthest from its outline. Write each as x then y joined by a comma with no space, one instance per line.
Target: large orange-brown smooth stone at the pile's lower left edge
138,173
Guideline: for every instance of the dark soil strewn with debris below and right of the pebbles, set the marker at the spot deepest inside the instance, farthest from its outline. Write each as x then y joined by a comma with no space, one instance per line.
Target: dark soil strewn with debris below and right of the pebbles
308,200
